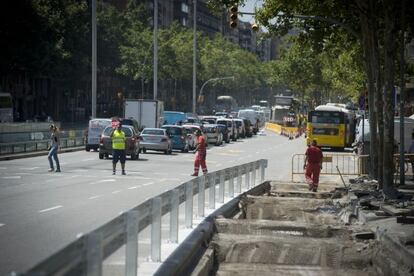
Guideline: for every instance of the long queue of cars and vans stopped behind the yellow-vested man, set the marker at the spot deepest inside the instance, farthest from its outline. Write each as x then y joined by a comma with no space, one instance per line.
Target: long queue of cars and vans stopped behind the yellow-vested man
178,133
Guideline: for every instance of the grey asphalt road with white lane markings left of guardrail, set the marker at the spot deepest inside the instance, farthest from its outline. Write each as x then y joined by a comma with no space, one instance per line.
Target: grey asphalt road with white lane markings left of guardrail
41,212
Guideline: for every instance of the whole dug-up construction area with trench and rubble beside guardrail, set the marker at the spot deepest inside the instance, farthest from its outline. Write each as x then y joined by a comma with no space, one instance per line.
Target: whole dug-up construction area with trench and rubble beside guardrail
281,228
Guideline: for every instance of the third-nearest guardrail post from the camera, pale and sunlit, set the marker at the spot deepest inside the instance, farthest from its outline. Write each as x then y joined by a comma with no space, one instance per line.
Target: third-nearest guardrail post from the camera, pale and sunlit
156,229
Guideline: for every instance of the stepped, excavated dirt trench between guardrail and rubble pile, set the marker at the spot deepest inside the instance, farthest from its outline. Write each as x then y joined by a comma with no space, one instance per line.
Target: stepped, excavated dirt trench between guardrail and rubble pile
291,231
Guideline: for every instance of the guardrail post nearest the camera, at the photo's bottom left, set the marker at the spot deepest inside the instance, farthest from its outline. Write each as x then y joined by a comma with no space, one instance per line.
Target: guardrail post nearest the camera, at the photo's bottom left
94,254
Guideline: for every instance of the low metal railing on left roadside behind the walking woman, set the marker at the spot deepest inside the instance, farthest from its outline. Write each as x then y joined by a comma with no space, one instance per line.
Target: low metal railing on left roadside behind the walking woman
38,145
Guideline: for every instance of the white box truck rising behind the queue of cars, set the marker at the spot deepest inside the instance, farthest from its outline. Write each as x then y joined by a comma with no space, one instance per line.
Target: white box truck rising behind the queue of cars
148,113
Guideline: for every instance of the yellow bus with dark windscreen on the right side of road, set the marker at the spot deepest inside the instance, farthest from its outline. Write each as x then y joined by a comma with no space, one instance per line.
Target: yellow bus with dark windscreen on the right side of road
331,126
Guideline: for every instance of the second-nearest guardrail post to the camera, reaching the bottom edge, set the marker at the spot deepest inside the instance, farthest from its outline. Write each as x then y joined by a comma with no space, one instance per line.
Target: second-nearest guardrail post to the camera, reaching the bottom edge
131,247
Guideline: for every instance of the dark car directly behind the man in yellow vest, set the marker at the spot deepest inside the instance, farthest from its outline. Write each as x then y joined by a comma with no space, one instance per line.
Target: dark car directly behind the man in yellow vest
132,146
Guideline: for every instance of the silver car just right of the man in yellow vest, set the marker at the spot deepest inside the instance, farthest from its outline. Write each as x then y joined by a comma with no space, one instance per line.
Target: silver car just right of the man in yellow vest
155,139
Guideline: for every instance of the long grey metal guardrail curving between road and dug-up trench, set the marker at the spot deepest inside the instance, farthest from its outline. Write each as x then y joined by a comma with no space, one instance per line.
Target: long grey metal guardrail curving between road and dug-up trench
86,254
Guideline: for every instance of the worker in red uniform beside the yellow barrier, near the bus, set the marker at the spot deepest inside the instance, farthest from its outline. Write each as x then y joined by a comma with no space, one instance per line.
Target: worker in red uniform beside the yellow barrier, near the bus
313,166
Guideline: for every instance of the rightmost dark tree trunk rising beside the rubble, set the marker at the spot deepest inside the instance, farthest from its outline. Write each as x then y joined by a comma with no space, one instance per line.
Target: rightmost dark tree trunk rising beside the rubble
390,16
